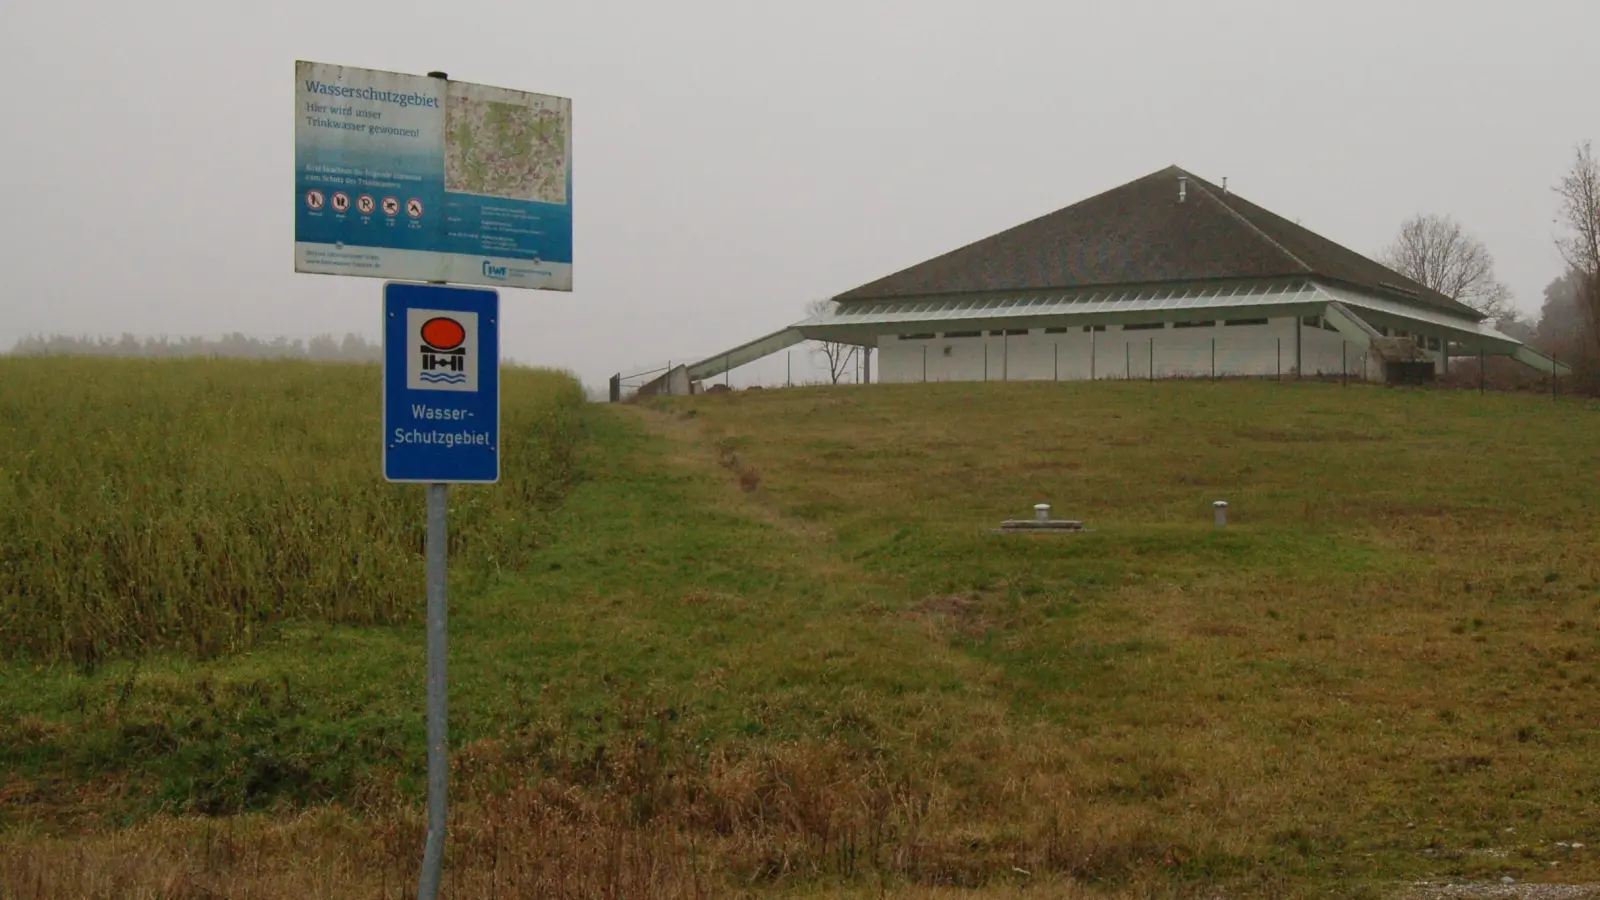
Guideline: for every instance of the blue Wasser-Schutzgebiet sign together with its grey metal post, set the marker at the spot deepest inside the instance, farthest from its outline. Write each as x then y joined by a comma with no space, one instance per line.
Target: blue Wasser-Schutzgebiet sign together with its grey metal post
441,428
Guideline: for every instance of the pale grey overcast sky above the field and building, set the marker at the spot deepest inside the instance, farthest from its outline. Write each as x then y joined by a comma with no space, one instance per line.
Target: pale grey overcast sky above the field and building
734,161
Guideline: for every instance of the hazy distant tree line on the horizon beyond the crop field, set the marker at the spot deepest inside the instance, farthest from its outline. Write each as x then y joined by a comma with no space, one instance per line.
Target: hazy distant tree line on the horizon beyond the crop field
321,348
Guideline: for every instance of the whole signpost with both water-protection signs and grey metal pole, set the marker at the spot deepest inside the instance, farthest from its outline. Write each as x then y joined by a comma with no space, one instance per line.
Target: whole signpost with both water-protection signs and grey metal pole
430,180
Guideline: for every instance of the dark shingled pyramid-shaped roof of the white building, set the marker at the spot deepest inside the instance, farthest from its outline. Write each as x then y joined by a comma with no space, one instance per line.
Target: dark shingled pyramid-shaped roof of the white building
1140,235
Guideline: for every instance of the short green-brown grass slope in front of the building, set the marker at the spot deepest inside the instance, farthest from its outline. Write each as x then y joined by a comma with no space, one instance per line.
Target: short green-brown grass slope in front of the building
766,646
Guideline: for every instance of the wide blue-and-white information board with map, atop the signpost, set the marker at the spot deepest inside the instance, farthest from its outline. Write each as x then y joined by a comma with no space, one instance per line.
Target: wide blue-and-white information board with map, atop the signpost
418,179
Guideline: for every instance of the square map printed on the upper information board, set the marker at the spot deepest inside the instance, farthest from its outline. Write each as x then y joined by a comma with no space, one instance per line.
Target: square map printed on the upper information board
511,147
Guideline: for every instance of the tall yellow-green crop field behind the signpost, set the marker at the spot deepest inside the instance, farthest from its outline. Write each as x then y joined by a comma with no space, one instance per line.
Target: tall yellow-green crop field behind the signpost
191,504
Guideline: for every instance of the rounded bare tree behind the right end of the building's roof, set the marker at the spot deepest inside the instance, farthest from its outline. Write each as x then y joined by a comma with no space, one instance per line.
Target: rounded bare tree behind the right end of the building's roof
1439,254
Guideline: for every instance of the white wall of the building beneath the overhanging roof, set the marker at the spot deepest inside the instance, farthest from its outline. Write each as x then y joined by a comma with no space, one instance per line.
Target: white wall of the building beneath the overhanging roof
1113,353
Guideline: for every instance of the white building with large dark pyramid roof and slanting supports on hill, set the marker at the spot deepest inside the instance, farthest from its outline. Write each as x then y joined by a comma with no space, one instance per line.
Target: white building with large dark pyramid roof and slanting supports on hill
1164,276
